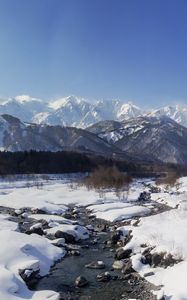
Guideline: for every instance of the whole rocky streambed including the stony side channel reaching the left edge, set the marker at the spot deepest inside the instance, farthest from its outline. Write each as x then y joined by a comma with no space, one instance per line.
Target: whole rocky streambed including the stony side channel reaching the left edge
93,268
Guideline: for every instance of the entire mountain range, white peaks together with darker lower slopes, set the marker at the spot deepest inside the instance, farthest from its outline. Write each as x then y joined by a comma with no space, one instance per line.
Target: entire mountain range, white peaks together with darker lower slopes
108,128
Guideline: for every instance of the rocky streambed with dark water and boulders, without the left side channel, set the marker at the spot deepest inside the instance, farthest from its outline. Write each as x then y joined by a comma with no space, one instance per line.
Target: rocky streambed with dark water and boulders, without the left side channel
97,268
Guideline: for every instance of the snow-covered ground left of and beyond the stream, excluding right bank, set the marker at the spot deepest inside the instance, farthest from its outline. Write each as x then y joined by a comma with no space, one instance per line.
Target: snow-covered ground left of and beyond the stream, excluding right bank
29,252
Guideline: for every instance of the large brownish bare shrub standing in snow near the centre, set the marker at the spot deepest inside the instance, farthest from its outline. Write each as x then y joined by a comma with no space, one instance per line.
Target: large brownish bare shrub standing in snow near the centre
103,179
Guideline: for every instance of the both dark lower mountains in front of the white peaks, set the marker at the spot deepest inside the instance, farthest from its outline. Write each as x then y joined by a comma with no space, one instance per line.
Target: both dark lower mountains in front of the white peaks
145,138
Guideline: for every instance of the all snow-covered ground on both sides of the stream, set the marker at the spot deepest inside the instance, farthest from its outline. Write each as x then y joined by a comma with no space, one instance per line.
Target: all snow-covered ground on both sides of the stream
164,232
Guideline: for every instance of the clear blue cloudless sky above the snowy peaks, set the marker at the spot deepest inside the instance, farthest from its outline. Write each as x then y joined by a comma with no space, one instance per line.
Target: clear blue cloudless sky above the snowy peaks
129,49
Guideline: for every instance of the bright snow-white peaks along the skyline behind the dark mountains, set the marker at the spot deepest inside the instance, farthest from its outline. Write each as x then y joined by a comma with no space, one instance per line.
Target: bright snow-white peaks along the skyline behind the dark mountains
76,112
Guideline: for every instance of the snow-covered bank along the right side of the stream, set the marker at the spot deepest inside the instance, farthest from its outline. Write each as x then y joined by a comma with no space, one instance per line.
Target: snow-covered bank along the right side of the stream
164,233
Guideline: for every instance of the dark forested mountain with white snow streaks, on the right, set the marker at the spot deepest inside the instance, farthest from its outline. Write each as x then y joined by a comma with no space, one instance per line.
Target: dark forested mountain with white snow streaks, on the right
149,138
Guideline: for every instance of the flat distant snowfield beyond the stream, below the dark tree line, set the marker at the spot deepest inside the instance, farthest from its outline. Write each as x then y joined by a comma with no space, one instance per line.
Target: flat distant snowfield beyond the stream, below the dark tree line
54,198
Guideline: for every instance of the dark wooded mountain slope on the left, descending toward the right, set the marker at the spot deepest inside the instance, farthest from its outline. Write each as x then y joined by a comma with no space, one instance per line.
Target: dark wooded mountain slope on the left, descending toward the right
18,136
